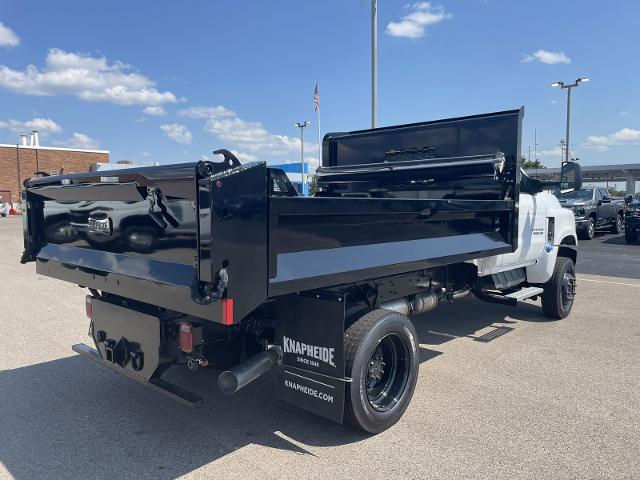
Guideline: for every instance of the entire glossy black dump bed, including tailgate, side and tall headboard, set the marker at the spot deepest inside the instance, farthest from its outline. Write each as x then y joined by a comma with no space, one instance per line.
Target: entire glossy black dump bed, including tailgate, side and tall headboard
390,200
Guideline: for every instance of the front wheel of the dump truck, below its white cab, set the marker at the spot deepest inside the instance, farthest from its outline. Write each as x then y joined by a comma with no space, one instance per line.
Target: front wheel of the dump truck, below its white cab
559,291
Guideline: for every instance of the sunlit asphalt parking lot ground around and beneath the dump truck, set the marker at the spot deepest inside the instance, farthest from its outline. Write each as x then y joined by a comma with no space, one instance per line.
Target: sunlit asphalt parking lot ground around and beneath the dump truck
543,400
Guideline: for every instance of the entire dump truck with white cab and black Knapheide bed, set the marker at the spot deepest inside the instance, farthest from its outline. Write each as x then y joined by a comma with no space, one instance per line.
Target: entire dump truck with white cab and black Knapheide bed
237,272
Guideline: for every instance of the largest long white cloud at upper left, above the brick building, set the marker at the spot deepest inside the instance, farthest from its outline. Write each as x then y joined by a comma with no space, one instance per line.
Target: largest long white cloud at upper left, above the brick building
86,77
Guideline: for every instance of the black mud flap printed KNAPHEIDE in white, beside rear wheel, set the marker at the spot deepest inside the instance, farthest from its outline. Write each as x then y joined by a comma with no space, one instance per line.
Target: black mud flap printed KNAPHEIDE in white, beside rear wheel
310,328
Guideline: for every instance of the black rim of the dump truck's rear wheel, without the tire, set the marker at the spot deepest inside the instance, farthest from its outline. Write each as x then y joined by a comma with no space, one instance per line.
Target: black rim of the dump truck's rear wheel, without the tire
388,373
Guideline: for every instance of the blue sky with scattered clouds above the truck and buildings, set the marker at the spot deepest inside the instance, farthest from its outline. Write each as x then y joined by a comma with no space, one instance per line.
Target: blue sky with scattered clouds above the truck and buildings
171,81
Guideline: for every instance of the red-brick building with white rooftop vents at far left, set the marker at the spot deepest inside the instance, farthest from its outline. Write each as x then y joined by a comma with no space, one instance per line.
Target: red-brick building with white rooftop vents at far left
21,161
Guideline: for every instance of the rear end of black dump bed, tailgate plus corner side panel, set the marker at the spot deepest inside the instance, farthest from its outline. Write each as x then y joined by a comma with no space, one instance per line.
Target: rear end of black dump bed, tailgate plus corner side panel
162,235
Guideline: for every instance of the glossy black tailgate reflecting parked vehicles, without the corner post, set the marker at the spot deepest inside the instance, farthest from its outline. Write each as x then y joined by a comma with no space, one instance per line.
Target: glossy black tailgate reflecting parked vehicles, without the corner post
129,232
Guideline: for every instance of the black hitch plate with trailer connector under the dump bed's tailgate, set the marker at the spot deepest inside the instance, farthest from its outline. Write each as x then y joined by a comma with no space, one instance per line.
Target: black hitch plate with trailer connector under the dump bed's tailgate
126,338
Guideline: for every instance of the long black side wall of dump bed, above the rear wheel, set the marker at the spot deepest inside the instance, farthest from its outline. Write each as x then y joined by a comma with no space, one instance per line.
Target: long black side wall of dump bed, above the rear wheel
320,242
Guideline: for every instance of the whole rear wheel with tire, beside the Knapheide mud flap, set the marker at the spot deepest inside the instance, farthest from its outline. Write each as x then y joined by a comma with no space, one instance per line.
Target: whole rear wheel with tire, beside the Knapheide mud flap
381,358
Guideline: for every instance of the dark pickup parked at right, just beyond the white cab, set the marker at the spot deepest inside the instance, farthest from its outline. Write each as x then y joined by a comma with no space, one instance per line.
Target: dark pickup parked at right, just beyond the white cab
594,208
